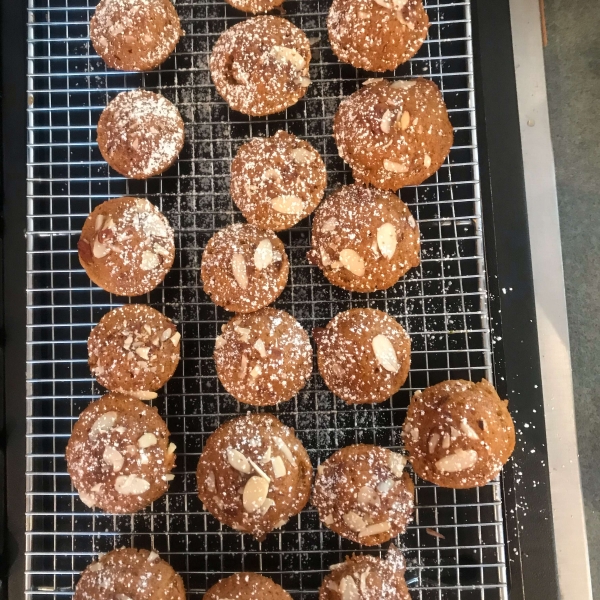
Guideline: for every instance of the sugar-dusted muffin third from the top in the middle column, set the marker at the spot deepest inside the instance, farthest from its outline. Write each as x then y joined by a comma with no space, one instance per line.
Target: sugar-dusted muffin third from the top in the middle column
278,181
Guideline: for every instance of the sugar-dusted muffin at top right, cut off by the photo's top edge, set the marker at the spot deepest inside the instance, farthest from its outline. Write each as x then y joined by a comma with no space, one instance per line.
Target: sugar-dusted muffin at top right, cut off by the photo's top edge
376,35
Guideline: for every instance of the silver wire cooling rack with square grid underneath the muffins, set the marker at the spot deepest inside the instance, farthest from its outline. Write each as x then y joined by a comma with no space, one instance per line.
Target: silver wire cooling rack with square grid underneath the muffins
442,305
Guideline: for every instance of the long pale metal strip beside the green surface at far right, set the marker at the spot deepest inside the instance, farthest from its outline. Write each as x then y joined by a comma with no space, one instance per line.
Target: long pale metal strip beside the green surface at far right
544,231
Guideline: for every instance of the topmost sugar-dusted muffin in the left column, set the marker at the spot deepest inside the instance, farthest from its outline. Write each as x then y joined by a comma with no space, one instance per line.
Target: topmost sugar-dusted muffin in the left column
134,35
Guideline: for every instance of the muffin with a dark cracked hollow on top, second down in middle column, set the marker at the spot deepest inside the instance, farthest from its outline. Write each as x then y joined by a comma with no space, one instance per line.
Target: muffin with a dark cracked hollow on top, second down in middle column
260,66
